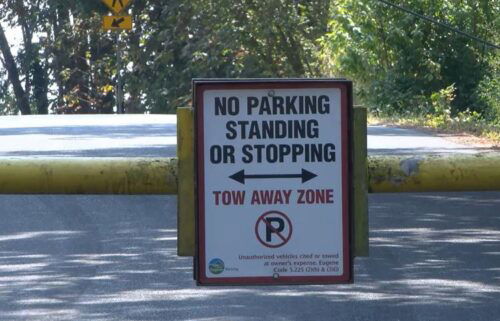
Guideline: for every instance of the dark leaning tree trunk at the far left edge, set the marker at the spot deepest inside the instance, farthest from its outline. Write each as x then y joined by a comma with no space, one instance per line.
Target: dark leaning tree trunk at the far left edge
21,98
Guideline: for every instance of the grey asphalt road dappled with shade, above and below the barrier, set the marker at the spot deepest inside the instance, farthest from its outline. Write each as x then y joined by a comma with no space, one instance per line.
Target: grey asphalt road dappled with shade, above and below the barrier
433,256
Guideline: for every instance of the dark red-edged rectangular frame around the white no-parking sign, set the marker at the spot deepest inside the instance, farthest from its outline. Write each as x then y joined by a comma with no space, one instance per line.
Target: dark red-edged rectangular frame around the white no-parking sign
345,86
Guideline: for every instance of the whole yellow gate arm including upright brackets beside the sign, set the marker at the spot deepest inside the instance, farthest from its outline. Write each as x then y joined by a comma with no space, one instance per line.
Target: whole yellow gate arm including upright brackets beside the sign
375,174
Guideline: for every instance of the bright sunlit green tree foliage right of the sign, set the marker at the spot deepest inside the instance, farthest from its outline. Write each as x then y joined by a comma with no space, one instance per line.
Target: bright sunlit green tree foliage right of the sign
400,61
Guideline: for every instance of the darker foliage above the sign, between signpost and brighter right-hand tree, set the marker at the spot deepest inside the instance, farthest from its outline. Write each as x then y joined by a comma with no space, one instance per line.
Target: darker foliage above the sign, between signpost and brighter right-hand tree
177,41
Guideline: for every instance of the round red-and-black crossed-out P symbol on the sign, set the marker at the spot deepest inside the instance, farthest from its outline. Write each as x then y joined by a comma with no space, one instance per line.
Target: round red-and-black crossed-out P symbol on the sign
273,229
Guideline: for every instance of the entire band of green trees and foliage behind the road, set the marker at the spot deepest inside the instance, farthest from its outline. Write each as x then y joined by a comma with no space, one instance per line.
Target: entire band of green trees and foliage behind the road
400,64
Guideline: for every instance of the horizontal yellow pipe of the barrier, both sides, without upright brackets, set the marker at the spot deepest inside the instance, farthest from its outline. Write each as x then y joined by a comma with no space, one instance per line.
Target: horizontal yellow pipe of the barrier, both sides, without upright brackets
386,174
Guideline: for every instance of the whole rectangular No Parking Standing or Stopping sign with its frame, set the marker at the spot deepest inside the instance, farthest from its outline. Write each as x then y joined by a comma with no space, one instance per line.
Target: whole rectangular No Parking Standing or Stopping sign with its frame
273,181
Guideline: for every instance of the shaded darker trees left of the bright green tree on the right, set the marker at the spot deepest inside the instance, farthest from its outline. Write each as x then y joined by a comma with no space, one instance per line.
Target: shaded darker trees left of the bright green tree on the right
171,43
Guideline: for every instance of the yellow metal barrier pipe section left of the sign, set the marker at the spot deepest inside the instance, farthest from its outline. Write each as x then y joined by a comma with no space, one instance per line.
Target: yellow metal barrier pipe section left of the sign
88,176
